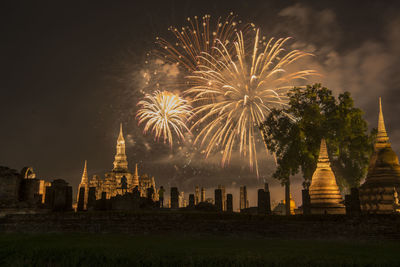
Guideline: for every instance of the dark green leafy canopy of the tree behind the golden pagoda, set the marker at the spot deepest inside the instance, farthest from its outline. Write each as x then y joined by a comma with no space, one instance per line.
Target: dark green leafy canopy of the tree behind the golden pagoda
294,134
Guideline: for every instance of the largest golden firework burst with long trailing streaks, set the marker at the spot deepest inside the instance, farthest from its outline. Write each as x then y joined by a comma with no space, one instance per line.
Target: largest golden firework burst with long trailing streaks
236,89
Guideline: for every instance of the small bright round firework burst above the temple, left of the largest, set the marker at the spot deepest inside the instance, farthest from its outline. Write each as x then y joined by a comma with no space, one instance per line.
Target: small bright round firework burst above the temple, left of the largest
164,113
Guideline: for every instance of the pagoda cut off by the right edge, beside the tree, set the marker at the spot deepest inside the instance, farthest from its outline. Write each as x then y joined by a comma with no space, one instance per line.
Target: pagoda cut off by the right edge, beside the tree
378,193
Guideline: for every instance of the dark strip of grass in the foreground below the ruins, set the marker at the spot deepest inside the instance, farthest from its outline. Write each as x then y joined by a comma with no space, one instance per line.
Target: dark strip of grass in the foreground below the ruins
121,250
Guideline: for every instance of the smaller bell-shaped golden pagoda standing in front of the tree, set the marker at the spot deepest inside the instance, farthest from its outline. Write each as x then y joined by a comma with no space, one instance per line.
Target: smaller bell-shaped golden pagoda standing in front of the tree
325,197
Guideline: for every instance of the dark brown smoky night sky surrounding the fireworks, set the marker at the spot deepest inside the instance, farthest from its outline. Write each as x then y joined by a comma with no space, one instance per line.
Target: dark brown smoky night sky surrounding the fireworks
71,72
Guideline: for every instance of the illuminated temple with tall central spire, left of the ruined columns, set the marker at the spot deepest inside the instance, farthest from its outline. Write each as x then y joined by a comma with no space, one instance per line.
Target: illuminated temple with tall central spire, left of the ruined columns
119,180
